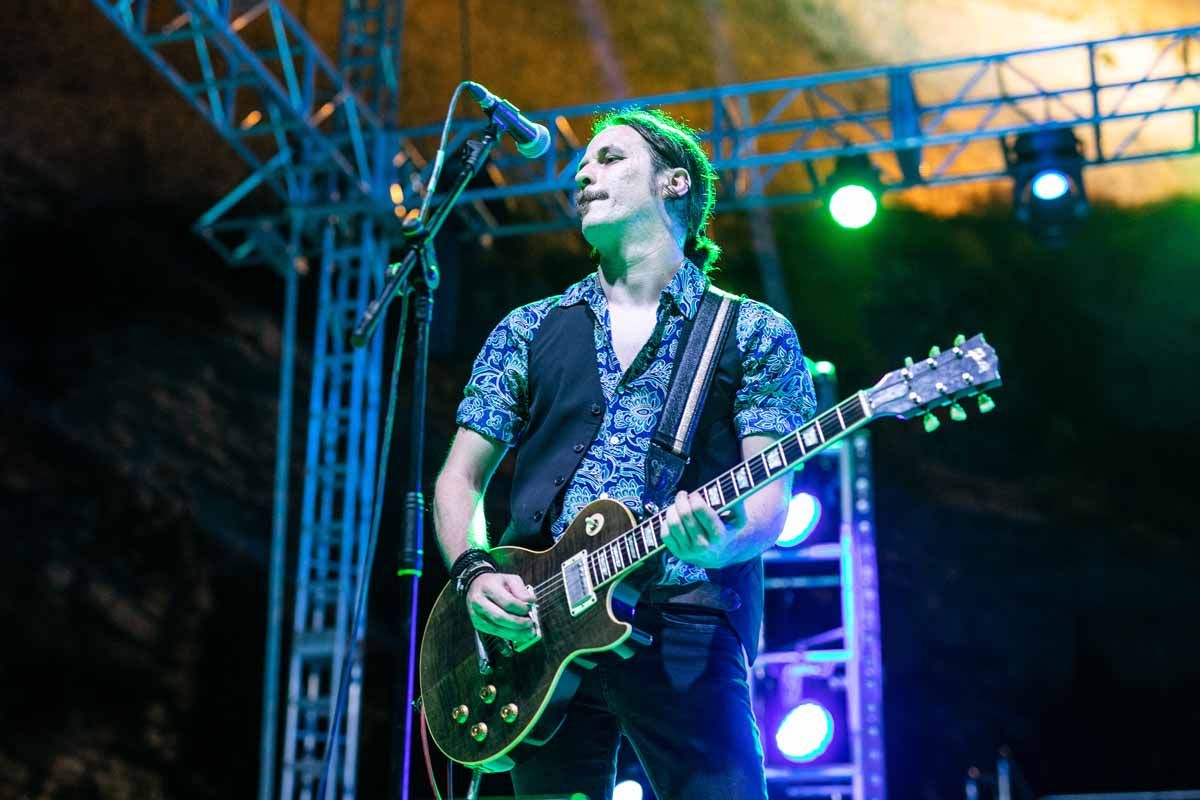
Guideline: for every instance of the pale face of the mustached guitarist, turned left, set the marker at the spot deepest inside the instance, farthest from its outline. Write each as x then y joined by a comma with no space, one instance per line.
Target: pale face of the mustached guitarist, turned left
616,188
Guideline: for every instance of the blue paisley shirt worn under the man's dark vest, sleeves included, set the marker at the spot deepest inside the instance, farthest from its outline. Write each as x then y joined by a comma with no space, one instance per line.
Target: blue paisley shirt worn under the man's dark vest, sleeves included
776,396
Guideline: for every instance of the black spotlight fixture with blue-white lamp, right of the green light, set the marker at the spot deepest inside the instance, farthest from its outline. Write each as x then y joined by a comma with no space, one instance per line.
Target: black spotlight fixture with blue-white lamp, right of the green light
1048,182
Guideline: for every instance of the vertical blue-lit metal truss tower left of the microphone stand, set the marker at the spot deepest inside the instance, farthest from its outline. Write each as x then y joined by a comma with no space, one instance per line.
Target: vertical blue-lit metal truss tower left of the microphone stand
339,491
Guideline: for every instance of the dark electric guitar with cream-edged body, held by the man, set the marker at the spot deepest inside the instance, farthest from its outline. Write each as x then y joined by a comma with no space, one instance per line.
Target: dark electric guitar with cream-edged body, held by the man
485,702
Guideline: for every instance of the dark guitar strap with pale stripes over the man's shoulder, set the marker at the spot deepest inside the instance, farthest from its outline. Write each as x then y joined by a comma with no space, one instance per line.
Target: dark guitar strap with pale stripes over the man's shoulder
700,351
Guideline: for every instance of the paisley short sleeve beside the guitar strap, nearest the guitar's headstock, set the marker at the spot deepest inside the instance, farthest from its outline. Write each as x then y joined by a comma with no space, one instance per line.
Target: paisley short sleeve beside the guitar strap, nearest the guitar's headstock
777,394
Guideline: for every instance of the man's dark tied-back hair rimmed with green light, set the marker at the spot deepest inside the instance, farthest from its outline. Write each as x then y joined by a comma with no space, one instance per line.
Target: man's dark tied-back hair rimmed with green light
673,146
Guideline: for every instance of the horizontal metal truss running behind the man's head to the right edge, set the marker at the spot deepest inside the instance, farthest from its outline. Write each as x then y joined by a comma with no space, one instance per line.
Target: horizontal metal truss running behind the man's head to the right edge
928,124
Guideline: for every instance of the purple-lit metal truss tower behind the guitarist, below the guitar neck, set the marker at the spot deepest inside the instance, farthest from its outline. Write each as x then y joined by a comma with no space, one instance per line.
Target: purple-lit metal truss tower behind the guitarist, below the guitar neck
850,654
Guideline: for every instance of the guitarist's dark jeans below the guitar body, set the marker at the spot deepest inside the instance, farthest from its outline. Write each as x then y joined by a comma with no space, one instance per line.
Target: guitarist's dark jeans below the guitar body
683,703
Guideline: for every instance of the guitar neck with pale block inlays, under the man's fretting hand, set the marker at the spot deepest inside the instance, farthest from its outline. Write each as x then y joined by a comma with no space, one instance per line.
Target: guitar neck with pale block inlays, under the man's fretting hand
645,540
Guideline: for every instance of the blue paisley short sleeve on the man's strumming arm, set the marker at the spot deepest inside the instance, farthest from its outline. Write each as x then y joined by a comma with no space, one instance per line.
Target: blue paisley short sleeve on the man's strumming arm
496,400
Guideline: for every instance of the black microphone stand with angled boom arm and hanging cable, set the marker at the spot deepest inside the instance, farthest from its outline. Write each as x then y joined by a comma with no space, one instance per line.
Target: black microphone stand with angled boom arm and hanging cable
416,273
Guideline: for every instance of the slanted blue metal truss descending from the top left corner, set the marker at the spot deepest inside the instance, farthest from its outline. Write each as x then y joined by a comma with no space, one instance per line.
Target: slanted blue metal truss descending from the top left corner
254,73
